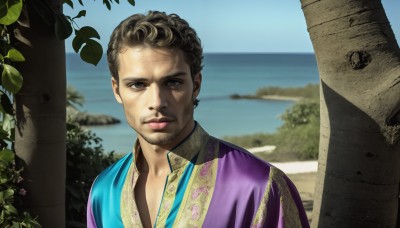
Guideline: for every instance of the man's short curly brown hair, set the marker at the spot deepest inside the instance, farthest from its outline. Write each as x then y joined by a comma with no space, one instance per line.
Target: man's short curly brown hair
158,30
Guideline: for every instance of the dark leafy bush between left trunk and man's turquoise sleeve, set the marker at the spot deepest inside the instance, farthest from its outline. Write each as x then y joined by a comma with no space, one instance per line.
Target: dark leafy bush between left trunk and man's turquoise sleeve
85,160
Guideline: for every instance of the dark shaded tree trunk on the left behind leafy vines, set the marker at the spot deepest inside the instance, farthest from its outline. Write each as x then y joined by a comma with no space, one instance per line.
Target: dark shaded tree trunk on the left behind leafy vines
40,114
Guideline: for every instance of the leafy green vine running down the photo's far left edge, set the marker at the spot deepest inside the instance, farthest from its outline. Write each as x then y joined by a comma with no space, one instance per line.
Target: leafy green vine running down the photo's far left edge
12,214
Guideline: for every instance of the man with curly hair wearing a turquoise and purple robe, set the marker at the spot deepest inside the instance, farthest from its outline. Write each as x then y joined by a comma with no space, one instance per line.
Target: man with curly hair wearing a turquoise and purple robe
178,175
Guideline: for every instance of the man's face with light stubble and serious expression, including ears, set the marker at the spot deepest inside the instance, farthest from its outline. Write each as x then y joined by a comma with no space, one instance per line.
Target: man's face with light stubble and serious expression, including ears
157,92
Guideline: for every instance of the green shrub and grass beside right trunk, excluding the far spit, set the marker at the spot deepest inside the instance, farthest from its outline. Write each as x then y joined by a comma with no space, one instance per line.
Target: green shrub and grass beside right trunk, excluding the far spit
296,139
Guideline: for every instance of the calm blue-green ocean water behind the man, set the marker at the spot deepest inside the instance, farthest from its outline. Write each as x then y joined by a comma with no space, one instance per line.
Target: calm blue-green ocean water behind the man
223,75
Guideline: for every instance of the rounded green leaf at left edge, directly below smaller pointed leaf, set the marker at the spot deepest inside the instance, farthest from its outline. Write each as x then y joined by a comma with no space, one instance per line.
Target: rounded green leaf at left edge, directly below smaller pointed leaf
11,79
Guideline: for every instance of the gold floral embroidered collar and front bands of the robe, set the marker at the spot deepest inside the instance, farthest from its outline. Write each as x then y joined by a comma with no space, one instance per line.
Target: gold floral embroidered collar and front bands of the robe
199,190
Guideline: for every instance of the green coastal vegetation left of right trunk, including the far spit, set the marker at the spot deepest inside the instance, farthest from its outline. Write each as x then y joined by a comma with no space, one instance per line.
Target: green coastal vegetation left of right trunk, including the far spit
298,137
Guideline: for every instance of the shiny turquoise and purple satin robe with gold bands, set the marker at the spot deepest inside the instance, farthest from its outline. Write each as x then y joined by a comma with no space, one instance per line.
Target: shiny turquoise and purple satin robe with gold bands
212,184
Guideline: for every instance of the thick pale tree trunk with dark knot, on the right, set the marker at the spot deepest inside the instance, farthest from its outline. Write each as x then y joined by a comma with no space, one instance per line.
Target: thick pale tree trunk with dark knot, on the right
358,61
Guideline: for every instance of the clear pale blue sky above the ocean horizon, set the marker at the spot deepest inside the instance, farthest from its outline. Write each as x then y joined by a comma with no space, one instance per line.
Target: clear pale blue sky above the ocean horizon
223,25
